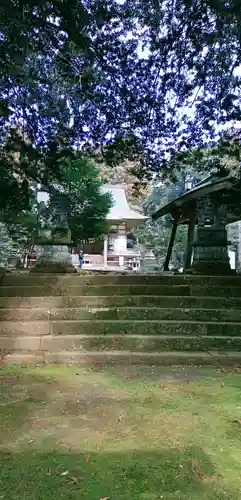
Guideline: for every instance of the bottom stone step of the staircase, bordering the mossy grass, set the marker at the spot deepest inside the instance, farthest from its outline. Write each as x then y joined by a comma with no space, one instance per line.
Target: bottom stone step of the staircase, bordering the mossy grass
99,359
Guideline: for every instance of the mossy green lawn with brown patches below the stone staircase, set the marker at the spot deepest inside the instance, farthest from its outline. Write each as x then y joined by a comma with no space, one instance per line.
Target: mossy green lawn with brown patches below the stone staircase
76,434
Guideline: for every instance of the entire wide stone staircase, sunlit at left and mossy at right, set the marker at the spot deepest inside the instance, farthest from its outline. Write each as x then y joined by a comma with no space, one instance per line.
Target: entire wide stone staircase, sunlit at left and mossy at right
110,318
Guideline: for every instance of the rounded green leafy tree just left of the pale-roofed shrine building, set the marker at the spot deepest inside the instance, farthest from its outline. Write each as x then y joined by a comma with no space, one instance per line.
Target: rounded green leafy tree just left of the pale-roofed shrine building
78,198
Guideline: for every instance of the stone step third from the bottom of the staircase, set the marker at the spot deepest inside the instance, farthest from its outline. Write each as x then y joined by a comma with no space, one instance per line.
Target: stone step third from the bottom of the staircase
119,327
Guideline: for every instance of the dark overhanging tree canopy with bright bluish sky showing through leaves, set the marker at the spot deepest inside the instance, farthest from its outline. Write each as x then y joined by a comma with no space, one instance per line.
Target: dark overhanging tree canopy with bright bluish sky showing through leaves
136,79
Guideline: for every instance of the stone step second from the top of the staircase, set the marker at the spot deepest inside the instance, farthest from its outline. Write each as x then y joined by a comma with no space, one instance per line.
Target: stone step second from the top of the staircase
110,290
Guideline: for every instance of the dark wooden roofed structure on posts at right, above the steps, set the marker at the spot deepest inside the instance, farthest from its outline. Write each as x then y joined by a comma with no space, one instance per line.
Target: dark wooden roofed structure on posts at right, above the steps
207,208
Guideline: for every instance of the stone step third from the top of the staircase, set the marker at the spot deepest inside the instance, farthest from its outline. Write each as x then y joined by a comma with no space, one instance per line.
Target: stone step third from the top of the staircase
169,302
